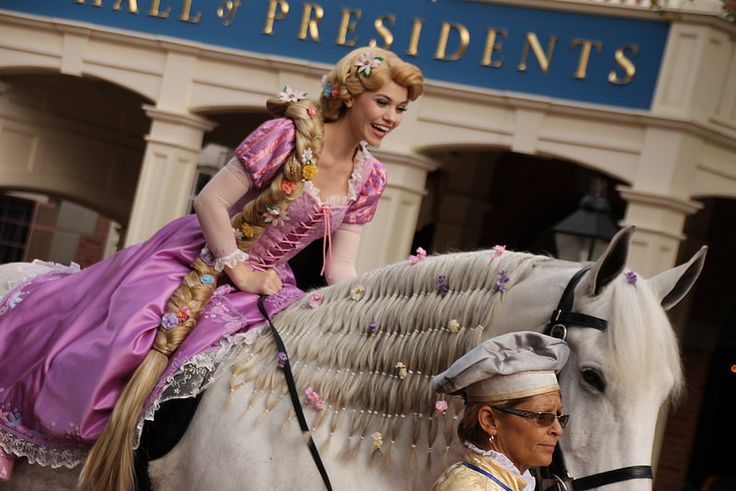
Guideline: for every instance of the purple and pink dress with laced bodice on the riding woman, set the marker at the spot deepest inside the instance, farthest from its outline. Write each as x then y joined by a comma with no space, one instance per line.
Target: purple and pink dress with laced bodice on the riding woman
70,341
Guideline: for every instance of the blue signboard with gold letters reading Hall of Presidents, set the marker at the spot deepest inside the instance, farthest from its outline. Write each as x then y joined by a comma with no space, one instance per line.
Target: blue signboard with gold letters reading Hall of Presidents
564,55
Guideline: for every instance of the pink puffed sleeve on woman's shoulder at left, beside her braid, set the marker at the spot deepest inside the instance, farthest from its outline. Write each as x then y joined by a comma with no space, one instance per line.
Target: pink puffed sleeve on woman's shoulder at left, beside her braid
265,150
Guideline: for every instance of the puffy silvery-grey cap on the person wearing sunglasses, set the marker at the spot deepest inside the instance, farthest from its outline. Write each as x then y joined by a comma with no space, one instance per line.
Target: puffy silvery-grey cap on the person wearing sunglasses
510,366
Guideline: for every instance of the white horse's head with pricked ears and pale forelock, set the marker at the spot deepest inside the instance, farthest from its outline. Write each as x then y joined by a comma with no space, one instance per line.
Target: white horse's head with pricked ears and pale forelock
619,378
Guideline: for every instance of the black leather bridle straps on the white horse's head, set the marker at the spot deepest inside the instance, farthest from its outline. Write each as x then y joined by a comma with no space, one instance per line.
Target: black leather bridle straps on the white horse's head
557,474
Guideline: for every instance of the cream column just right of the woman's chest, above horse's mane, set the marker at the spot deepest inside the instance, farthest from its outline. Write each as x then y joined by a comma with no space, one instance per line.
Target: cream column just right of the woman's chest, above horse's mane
387,238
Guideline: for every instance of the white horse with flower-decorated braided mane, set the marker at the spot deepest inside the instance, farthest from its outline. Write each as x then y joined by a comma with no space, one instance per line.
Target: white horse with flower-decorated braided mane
370,357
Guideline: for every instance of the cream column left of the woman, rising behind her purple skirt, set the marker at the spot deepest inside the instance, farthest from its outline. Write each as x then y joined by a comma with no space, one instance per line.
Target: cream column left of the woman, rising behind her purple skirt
167,173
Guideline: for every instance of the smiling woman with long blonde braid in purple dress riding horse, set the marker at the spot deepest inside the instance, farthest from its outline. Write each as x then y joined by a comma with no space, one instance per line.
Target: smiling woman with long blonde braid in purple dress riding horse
75,345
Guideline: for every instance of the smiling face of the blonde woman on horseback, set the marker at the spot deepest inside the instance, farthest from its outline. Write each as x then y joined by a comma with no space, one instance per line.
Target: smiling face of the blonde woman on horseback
374,114
